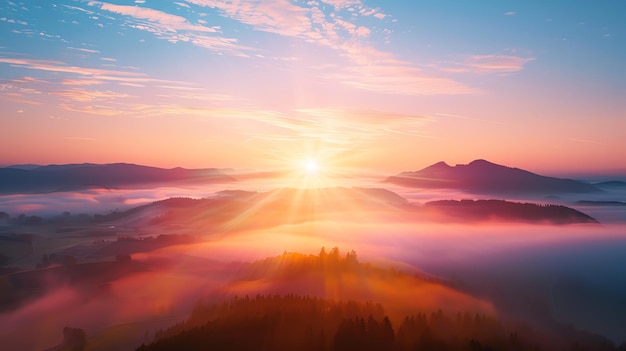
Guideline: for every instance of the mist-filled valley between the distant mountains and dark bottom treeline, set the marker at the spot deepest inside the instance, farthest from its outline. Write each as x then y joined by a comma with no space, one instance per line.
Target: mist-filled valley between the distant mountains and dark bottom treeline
123,275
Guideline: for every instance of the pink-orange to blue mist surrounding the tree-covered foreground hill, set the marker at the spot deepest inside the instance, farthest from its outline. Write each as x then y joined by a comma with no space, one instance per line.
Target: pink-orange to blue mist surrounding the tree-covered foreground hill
535,273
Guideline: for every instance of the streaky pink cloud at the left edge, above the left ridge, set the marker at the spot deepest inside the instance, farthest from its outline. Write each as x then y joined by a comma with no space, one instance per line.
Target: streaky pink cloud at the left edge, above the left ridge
115,96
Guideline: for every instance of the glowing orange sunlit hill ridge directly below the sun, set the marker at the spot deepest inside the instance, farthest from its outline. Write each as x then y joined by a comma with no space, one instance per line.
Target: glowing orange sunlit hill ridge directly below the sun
242,209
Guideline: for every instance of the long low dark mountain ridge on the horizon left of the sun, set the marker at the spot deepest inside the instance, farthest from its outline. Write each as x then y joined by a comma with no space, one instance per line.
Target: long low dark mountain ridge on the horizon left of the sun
71,177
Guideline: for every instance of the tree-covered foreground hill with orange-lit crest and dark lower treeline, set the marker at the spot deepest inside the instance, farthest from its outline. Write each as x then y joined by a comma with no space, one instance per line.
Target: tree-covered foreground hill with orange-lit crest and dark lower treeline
291,321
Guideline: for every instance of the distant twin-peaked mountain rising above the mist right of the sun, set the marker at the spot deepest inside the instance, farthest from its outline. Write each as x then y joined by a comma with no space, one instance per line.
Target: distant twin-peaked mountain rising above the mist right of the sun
481,176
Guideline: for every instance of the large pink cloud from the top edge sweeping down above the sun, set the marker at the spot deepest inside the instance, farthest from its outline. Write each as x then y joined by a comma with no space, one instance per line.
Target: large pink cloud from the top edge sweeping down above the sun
366,68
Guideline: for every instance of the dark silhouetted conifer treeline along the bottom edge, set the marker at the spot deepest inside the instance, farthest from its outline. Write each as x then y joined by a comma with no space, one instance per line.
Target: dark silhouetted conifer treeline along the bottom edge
294,322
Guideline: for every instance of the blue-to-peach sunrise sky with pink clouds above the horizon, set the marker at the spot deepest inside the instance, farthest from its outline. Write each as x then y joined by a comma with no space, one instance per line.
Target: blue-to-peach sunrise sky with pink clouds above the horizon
388,86
